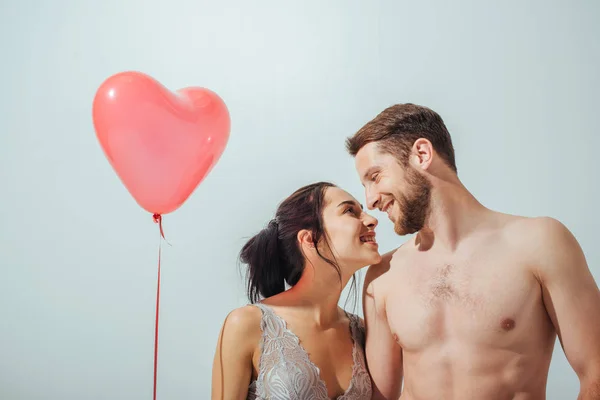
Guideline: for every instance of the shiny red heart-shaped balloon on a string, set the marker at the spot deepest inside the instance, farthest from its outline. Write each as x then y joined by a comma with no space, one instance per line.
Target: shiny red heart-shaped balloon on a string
161,144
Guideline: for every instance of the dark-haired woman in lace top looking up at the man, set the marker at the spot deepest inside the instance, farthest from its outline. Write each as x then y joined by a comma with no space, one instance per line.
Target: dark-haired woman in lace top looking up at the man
297,343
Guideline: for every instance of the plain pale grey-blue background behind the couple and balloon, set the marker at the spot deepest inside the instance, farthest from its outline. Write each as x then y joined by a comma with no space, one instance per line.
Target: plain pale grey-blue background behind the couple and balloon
515,81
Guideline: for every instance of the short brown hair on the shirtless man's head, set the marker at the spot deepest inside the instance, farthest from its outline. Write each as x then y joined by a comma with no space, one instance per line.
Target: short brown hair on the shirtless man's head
397,128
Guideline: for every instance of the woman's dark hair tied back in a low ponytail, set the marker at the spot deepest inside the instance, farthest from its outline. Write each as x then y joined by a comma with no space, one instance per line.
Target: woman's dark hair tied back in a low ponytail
274,256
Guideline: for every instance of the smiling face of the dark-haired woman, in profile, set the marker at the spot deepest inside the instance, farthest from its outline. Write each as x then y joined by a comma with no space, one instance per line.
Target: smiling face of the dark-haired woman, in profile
350,232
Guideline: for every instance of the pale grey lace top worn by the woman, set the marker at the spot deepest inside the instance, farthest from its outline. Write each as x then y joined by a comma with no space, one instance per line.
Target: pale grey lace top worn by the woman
286,372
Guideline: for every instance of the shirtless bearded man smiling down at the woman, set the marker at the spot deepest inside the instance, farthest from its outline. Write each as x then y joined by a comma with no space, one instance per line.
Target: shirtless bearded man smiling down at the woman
470,307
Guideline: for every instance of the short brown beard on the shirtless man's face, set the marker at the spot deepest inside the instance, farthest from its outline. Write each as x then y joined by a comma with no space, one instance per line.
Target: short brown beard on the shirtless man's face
414,205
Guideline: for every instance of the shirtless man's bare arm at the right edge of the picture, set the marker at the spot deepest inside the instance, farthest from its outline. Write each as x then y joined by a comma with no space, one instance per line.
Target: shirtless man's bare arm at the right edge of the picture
572,299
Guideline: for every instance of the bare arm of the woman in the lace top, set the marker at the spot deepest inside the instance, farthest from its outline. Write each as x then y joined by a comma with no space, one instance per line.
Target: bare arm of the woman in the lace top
232,365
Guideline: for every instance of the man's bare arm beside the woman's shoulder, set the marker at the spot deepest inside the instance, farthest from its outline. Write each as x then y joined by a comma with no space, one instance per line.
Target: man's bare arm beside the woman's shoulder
383,354
